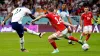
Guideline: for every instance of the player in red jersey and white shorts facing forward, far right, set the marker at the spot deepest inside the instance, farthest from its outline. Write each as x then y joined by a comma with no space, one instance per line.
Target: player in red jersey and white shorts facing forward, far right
86,20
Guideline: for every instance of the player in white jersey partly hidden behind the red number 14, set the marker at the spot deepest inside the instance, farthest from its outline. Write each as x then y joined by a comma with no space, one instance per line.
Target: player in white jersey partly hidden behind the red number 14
63,12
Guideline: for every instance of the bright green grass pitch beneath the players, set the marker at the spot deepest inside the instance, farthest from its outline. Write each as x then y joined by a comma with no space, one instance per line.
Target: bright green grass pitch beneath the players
9,46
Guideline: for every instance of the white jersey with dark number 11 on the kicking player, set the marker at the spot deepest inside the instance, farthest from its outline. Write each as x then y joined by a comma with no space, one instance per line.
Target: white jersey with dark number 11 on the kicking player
19,13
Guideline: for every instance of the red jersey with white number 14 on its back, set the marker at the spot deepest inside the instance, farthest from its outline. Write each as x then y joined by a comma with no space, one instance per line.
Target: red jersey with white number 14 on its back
56,21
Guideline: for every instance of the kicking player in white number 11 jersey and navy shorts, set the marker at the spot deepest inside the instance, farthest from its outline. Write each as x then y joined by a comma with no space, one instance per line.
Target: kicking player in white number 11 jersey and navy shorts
16,23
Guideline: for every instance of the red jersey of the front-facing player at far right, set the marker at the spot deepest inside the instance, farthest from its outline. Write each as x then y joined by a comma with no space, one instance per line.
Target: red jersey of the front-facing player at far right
87,18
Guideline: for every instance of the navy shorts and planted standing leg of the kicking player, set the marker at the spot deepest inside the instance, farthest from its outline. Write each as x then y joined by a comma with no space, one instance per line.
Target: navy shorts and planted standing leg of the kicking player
20,31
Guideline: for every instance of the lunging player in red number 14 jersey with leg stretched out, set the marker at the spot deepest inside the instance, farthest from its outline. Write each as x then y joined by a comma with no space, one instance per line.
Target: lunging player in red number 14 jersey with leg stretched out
59,25
